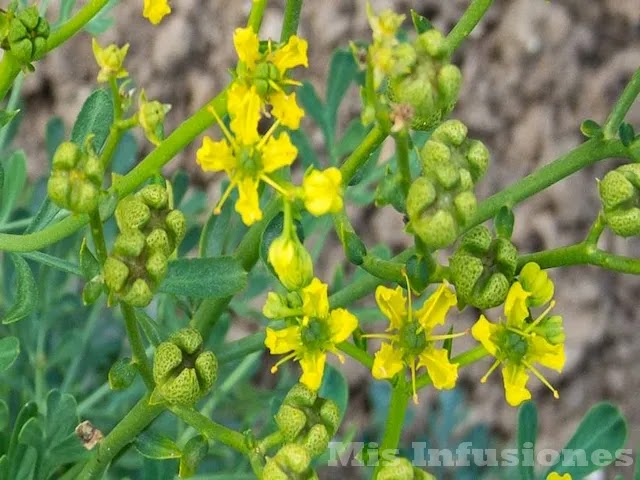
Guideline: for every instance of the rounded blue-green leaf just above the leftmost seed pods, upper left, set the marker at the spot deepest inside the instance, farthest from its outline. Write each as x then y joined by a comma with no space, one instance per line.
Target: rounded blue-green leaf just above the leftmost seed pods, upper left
95,117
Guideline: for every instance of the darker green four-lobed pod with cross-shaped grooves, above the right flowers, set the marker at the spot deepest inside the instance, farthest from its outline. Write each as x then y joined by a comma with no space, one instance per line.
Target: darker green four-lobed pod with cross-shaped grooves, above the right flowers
483,268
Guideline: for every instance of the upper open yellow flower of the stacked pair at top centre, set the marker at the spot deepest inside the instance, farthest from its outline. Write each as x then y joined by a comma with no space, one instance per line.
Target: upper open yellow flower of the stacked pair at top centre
267,71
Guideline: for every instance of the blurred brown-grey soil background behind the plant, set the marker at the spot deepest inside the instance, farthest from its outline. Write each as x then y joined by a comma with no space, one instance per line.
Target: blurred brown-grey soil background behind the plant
533,70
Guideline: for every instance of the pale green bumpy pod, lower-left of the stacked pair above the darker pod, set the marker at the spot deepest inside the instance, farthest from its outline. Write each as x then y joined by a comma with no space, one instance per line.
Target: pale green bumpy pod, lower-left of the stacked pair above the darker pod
437,213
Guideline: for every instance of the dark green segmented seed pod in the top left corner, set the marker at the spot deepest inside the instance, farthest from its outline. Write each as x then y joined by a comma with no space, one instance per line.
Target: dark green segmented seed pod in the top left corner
28,34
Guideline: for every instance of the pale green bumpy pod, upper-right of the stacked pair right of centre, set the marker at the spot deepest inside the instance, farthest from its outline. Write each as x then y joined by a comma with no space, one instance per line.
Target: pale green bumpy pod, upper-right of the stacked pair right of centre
450,155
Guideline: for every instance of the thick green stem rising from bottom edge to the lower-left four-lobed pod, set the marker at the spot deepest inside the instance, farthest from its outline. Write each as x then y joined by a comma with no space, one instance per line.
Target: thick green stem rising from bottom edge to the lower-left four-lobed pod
134,422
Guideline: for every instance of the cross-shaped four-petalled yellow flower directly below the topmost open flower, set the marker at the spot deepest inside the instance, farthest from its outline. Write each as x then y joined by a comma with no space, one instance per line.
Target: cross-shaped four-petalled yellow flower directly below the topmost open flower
245,156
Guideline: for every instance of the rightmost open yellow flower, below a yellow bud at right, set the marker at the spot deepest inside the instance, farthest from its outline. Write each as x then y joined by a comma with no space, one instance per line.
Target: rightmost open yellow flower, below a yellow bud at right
517,346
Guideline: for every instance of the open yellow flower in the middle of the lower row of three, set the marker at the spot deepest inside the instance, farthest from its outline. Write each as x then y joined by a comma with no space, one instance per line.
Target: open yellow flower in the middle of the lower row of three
412,343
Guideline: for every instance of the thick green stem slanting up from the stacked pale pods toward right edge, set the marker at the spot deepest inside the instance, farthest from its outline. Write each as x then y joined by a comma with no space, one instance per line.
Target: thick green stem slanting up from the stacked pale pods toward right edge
580,157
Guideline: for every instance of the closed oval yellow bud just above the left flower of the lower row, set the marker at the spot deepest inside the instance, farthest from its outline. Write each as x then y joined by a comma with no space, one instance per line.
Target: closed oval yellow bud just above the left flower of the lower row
291,262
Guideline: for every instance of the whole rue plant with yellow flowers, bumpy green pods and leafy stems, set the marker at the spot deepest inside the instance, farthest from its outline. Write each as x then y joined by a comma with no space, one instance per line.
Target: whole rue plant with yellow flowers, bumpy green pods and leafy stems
149,330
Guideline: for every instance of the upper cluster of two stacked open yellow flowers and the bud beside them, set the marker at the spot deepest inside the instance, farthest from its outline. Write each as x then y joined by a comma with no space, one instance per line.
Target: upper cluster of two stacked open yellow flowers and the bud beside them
260,89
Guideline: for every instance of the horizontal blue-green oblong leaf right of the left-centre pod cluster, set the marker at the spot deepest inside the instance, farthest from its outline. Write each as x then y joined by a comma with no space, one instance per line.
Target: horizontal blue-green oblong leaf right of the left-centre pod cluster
204,277
